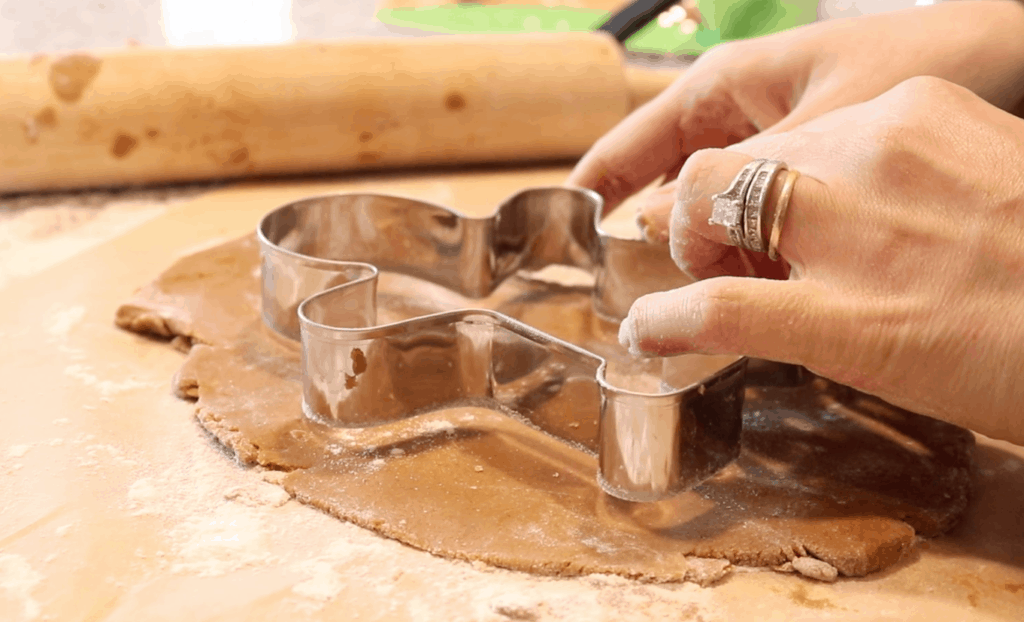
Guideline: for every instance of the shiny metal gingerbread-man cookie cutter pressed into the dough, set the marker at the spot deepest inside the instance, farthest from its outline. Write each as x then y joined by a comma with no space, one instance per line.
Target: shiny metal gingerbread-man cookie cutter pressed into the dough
320,265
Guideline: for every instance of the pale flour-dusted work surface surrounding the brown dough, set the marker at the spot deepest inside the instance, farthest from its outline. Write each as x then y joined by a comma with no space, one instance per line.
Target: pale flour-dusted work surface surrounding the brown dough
118,508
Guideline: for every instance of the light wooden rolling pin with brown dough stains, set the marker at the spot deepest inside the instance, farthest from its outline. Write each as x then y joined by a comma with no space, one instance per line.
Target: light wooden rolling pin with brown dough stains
150,115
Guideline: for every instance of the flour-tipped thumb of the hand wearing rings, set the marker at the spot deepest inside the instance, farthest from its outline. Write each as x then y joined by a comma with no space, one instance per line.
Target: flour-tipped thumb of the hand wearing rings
785,321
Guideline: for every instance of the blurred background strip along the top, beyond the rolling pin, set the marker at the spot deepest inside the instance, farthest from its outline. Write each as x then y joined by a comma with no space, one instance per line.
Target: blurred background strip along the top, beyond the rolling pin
31,26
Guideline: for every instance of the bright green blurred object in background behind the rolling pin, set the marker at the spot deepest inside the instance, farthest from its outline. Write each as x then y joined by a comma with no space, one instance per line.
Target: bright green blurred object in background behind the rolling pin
723,21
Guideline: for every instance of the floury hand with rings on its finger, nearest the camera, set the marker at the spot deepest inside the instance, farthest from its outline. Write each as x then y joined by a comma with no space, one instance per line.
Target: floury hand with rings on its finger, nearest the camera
906,239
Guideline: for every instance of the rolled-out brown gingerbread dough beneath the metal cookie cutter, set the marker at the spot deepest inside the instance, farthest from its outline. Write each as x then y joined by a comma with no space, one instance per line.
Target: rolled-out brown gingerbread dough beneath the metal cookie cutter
825,472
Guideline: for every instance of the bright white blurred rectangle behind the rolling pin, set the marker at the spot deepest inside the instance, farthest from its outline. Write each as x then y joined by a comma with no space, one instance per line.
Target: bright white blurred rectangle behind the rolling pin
228,22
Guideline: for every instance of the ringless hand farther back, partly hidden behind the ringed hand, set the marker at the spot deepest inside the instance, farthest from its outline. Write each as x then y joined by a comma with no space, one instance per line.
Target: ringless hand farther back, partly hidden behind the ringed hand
776,84
